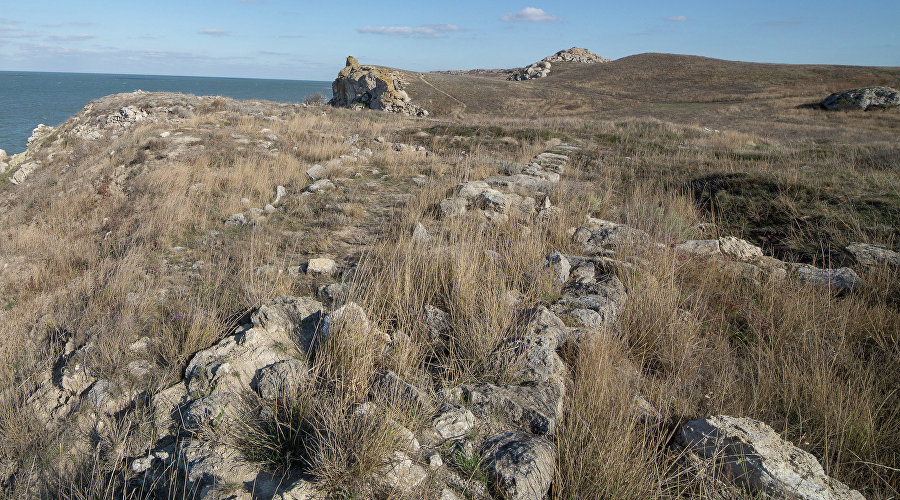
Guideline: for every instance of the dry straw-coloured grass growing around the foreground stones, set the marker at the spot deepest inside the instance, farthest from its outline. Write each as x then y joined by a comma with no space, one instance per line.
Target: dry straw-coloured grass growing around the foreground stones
822,370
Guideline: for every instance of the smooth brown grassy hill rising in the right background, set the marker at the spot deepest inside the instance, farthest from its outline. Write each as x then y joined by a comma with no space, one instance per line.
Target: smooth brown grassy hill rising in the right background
752,97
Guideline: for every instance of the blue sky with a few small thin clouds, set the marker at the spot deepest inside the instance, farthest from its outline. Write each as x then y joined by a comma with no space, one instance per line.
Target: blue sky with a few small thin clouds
309,40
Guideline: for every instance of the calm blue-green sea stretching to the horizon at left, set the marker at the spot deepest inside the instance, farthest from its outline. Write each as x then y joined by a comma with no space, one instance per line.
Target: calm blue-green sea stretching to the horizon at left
27,98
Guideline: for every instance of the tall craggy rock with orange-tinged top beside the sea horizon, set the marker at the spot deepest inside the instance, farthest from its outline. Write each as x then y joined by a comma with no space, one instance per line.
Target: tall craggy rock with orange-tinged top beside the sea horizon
372,87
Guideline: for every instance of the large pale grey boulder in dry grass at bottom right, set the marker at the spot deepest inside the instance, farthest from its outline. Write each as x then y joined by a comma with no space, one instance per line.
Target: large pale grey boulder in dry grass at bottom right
749,455
